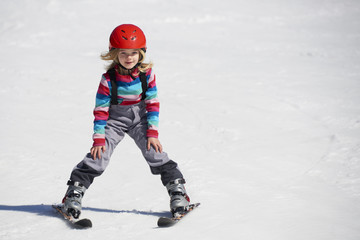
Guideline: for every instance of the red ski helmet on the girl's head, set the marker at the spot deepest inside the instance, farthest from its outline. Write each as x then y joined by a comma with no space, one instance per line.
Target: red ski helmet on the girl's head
127,36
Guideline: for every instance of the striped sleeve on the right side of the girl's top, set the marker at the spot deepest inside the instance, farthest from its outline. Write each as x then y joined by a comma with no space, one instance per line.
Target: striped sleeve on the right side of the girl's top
152,106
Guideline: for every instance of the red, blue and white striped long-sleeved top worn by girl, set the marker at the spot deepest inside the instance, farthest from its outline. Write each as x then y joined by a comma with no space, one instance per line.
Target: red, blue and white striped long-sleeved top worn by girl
129,92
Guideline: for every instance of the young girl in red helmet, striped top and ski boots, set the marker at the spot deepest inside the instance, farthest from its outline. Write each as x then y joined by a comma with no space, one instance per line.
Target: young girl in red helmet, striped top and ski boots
122,107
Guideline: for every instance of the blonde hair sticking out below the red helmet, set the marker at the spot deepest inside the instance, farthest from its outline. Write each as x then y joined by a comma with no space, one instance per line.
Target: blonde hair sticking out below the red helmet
112,55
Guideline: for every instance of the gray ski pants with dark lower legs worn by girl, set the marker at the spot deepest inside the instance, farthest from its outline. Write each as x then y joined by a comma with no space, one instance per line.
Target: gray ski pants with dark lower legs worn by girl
131,120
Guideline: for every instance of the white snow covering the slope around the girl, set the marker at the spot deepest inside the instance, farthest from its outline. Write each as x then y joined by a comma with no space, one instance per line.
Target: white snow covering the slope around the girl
259,106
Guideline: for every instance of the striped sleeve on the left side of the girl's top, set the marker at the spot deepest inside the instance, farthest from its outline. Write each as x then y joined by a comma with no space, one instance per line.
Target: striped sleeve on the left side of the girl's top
101,111
